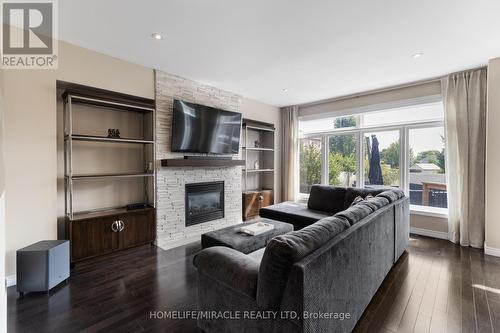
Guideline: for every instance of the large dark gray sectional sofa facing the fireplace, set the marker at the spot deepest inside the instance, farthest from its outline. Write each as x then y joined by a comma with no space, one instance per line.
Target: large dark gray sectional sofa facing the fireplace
316,279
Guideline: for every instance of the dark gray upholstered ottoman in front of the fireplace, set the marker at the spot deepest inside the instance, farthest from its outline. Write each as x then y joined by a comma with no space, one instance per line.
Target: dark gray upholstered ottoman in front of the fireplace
231,237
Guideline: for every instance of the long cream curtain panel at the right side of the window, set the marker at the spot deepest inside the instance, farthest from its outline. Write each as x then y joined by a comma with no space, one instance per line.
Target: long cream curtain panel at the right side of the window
465,117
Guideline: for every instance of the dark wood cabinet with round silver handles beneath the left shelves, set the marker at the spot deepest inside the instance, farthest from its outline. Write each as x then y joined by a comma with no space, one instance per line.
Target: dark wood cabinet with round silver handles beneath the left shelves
94,236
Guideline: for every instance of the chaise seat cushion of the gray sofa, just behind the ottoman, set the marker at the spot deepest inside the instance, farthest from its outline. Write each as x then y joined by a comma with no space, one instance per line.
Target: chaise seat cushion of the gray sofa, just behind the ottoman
292,212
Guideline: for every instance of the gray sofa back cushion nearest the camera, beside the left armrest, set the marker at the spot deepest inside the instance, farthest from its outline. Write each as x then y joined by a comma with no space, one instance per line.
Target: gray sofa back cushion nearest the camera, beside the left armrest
284,250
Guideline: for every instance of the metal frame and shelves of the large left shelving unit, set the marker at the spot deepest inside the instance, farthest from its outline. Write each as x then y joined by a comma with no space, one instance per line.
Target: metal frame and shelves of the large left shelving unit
70,137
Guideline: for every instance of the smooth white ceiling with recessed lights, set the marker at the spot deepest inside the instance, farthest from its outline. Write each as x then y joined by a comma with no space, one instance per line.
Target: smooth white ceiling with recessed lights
316,49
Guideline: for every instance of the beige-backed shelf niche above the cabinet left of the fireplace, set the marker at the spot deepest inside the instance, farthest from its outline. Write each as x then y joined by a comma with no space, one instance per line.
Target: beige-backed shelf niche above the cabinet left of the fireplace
104,173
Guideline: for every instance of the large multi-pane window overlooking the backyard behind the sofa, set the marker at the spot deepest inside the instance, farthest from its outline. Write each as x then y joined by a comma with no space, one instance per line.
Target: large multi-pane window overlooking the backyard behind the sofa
399,147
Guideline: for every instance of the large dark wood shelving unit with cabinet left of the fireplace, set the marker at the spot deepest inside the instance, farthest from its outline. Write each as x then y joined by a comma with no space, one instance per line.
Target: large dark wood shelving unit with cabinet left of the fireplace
103,230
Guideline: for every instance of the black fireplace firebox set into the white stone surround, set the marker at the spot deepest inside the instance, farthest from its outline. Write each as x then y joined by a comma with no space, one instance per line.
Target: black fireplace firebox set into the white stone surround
204,202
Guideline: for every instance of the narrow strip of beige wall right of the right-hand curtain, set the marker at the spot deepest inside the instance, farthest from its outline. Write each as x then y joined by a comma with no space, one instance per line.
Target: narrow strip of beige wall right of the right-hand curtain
492,228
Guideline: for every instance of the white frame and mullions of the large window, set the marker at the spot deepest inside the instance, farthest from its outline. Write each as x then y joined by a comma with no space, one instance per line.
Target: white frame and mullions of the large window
360,131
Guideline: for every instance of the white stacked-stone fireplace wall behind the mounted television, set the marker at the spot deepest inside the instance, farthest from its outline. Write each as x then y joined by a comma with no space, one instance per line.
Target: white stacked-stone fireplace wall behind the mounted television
174,225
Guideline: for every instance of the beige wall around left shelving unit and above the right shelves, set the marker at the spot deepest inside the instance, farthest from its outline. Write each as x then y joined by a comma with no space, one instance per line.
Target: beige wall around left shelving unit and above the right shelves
31,135
